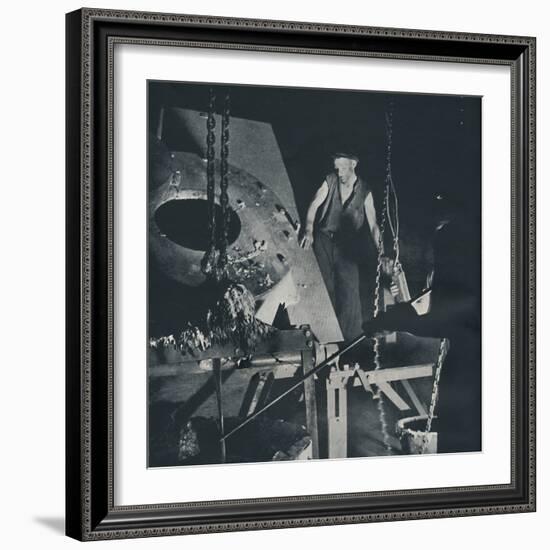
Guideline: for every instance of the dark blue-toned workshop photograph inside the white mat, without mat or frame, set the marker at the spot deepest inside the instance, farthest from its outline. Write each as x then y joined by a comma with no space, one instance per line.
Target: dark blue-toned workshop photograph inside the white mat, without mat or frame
314,273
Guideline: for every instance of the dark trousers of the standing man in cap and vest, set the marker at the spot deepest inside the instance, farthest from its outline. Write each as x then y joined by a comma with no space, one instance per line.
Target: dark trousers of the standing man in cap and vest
341,274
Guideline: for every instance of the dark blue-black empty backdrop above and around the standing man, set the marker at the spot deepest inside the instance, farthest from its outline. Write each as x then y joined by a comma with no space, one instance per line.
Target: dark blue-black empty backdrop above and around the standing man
436,147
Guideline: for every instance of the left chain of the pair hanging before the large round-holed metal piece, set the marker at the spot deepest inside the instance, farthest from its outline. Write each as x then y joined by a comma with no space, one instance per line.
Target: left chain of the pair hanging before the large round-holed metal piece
208,260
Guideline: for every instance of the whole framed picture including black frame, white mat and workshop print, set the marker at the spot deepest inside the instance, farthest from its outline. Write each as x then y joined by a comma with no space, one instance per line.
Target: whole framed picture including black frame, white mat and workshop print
300,266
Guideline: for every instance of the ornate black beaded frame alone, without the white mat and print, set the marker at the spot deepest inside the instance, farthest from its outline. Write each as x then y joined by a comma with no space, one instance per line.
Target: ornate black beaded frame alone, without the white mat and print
90,506
